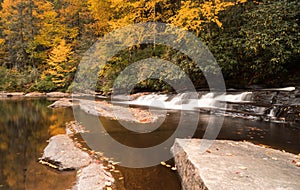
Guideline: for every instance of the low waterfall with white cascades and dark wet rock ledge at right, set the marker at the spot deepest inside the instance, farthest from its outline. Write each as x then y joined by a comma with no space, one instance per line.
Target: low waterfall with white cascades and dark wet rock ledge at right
280,104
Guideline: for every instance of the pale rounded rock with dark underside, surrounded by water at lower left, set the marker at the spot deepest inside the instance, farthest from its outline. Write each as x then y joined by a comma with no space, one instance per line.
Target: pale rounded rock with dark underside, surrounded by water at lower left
62,152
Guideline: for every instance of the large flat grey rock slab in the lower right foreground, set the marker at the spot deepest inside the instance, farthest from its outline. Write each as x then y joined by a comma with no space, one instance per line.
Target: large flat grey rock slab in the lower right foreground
234,165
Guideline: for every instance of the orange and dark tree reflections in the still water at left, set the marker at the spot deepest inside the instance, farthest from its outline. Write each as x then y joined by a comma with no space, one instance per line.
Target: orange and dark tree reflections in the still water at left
24,130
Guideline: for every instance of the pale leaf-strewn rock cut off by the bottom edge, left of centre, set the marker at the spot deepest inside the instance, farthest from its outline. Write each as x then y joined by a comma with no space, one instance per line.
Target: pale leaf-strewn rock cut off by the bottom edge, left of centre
93,177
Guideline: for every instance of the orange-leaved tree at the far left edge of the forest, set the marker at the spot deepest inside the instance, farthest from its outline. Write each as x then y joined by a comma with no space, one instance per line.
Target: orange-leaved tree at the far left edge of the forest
16,31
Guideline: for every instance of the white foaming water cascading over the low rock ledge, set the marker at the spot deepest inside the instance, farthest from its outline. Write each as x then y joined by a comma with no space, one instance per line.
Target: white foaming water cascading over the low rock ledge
180,102
